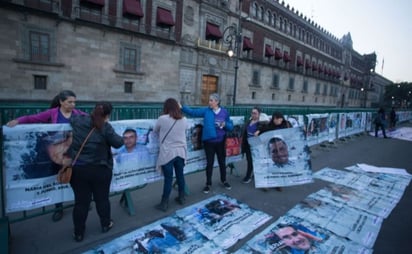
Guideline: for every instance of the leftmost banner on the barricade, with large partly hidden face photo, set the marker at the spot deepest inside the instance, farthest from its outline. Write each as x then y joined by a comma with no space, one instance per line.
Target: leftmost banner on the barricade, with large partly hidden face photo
33,154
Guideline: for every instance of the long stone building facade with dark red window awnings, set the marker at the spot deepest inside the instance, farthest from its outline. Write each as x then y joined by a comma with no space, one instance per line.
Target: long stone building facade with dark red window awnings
144,51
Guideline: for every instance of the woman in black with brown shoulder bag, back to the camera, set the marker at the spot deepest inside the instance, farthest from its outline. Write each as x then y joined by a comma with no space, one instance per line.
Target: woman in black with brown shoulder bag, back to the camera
90,150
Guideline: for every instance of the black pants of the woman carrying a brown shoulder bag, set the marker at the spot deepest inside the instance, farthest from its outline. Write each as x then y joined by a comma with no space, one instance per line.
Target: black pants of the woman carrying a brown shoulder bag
90,182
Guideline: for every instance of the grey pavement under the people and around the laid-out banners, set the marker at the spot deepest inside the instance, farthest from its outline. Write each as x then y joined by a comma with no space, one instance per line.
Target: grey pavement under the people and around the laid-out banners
41,235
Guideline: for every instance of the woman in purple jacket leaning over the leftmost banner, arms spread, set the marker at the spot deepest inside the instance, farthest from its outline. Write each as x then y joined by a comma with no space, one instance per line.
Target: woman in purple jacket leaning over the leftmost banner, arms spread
62,108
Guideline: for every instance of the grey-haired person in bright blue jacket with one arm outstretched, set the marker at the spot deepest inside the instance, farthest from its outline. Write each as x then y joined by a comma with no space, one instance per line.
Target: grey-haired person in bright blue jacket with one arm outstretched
216,121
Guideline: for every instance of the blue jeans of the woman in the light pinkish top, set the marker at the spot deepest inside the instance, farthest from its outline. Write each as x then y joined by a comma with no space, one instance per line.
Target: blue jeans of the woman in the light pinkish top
178,164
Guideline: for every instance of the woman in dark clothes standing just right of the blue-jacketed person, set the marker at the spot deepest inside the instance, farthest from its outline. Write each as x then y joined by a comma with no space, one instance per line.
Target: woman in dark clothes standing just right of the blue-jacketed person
249,130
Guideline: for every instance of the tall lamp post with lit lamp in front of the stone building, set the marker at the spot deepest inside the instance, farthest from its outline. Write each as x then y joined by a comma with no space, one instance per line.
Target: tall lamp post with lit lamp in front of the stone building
232,37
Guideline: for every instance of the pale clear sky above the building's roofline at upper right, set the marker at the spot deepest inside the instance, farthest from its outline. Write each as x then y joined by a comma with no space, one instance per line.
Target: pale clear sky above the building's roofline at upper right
383,27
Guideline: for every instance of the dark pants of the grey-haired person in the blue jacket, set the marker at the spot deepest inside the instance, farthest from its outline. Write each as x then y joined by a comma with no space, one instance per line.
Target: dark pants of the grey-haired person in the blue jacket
212,148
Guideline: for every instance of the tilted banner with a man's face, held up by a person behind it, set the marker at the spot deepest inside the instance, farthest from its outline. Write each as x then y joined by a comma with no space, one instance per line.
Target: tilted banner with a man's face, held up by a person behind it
281,158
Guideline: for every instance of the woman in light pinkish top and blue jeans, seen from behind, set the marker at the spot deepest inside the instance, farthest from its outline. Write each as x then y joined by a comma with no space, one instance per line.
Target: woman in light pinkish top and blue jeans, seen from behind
171,129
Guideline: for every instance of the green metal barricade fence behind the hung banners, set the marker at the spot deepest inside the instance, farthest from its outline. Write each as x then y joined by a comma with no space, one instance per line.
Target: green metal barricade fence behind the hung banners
9,111
